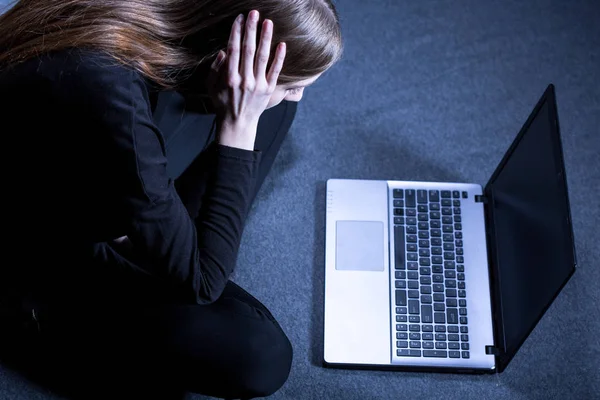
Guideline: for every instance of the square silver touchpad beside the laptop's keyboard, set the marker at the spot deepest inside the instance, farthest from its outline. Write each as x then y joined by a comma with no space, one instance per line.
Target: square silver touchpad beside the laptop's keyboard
359,245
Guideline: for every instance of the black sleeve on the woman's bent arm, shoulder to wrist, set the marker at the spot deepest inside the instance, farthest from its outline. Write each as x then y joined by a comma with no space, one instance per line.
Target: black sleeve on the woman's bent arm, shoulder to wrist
193,257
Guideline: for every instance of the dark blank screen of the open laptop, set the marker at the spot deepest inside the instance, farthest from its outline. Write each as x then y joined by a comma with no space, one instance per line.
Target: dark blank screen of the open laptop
533,234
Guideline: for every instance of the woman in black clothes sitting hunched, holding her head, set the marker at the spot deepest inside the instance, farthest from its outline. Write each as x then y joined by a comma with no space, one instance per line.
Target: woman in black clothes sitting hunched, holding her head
136,139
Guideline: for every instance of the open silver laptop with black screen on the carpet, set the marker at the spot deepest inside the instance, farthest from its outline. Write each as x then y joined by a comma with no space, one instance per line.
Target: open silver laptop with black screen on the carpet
434,276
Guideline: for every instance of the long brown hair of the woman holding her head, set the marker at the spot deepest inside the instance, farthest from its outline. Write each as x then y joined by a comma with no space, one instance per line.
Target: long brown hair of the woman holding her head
166,40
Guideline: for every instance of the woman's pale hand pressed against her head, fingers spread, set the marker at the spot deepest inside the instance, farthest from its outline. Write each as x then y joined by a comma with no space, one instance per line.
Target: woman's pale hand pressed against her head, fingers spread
238,84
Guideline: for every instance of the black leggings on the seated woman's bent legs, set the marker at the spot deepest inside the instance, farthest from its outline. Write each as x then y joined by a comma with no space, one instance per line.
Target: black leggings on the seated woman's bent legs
232,348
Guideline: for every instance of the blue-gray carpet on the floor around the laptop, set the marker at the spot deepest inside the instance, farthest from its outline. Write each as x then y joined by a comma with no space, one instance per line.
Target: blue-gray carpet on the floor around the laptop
429,90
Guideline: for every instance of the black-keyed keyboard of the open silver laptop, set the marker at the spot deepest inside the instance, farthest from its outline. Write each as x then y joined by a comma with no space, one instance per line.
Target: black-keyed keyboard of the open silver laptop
430,293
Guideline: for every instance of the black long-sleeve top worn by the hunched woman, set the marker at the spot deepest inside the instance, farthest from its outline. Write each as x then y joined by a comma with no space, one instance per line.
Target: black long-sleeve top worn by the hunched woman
85,164
